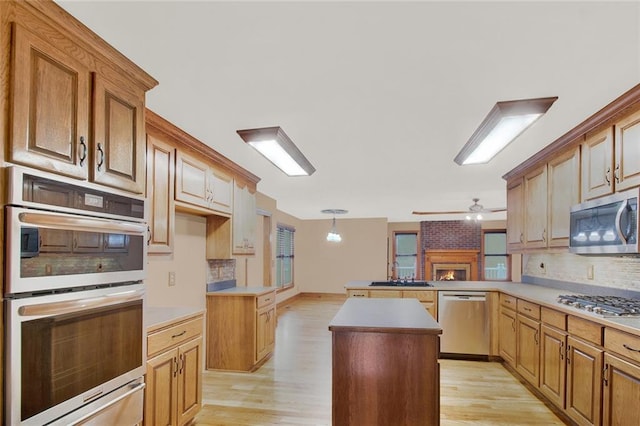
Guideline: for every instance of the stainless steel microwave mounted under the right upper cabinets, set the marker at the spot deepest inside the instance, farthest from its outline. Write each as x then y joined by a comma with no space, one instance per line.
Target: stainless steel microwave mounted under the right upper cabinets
607,225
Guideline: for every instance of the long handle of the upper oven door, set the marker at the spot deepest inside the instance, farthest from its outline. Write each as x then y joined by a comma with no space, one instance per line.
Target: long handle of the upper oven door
77,223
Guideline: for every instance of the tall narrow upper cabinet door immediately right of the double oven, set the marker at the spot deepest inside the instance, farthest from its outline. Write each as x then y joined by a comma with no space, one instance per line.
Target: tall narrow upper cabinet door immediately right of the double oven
160,187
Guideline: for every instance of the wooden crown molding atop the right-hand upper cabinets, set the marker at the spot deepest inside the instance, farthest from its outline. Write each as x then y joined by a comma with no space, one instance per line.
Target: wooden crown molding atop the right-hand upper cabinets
605,116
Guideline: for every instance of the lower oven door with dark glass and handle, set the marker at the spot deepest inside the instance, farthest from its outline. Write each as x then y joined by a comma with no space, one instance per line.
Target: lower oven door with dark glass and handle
71,352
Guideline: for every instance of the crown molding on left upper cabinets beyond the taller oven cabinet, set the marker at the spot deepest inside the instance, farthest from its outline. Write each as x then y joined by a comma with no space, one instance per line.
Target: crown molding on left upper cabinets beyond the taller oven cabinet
155,121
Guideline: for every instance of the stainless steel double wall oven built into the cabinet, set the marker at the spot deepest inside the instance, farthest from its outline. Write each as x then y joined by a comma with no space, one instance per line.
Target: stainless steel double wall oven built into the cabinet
74,302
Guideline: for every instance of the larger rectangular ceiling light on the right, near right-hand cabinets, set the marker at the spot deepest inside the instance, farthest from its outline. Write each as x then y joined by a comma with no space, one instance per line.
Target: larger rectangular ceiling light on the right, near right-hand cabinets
505,122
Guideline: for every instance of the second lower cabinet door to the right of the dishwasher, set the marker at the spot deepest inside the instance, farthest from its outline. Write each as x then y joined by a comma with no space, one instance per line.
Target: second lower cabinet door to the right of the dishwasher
528,349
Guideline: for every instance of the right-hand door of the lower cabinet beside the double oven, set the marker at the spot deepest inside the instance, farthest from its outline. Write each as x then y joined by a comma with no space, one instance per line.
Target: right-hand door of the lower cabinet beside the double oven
189,395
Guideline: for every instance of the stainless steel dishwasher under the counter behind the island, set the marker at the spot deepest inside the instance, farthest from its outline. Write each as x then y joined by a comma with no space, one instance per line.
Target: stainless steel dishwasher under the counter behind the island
464,318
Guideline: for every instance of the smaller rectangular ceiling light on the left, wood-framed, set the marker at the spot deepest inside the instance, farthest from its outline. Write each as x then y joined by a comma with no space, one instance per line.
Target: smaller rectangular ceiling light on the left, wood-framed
275,145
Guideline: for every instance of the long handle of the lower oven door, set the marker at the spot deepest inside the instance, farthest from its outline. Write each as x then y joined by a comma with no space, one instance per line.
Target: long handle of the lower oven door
58,308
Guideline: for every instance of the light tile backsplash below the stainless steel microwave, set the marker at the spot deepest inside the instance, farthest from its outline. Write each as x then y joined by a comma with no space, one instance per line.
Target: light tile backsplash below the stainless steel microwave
606,271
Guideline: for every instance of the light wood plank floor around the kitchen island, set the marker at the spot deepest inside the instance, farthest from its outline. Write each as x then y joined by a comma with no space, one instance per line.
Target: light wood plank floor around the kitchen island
294,386
